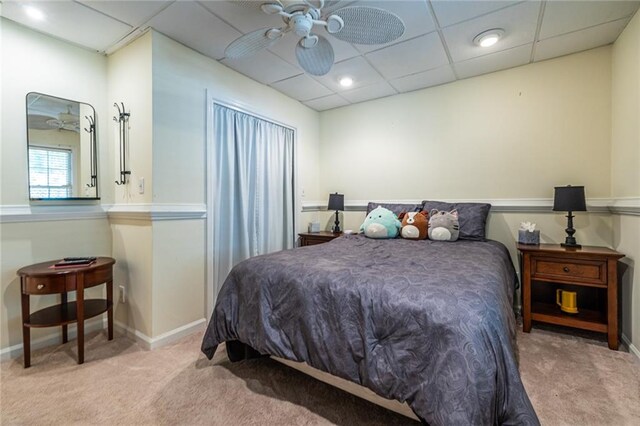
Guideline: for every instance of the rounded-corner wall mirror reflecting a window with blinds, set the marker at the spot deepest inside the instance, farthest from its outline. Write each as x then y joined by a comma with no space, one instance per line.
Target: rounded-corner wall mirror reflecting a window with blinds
62,149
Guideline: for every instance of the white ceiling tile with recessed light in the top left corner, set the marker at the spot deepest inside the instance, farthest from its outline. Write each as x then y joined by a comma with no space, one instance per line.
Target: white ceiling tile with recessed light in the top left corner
70,21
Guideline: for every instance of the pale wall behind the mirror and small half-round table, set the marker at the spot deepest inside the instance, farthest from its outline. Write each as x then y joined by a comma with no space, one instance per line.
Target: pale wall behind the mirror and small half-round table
32,62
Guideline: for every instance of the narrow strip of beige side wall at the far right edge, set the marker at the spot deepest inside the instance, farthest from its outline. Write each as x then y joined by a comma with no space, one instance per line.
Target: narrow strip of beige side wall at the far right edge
625,169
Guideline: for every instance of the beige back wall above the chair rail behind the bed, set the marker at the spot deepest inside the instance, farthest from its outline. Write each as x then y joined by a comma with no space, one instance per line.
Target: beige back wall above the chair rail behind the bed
510,134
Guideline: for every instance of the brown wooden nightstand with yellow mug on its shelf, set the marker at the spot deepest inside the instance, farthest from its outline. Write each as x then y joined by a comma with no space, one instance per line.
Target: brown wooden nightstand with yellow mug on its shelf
591,272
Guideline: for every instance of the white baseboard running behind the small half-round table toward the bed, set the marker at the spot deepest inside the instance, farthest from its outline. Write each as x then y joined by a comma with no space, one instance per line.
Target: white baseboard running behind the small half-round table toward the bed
147,342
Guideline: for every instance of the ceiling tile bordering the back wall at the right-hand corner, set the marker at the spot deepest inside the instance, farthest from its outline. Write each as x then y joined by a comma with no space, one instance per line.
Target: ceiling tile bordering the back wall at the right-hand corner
579,40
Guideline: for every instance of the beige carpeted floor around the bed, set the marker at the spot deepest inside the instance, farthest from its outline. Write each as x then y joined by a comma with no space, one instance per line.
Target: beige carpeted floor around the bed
570,380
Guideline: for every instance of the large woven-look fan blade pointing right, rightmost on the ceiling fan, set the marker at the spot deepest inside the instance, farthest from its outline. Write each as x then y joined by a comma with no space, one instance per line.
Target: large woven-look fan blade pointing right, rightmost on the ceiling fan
368,25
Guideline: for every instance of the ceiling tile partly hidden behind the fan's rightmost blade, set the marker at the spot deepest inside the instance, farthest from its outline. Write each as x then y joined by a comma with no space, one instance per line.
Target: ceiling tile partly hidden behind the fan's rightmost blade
414,13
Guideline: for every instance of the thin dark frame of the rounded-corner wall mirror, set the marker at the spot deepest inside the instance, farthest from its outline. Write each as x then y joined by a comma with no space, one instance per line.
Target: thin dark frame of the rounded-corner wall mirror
93,150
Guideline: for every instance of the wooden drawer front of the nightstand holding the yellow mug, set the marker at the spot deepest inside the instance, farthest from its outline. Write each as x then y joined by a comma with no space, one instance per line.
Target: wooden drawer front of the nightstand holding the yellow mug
573,270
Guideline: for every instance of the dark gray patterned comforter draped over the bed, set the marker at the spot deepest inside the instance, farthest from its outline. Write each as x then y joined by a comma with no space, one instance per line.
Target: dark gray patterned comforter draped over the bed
425,322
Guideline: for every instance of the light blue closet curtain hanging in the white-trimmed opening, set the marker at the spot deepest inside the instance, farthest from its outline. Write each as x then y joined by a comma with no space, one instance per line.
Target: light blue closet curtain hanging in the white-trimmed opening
253,199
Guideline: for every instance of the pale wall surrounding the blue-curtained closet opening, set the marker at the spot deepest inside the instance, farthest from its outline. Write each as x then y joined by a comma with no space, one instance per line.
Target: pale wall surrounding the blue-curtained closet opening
182,79
